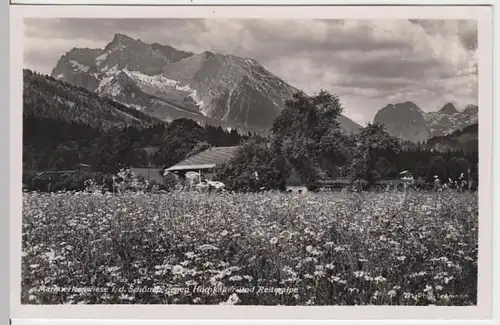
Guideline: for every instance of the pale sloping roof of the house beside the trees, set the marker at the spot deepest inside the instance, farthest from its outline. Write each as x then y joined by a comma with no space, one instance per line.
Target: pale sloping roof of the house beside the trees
206,159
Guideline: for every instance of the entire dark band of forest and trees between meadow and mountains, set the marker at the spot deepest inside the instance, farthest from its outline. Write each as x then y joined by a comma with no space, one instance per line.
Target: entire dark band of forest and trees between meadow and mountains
64,126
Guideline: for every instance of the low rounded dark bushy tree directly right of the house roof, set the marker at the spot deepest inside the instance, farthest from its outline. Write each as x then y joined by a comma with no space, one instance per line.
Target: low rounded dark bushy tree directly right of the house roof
254,166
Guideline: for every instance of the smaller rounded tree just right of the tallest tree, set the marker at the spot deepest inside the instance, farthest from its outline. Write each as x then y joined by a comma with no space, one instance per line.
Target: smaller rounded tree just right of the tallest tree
373,143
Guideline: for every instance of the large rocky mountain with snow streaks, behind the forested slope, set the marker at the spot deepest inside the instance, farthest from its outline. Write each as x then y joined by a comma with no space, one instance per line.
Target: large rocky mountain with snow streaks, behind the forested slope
161,81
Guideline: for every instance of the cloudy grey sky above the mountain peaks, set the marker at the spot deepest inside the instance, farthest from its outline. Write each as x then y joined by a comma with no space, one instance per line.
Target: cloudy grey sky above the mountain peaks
367,63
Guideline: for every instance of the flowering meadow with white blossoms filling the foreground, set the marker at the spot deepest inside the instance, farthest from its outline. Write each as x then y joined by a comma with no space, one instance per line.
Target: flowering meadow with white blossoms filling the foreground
393,248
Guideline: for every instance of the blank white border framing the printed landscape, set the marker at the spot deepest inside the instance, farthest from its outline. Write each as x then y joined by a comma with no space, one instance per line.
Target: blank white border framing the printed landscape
482,311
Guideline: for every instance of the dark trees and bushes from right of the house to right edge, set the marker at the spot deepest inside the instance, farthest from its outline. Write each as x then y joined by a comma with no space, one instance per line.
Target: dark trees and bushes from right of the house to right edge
306,139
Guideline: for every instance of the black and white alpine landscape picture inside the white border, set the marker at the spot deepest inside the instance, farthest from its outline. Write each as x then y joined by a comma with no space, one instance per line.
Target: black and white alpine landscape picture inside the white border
250,161
